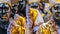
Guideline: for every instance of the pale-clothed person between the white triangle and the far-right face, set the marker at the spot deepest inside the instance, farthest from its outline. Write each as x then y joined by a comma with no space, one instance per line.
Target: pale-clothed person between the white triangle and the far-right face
47,11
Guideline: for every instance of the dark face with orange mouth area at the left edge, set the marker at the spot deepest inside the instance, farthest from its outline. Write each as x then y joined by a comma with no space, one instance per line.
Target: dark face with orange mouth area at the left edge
4,11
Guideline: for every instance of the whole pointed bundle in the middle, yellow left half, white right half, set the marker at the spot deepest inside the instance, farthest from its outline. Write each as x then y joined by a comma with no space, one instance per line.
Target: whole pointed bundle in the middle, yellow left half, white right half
35,16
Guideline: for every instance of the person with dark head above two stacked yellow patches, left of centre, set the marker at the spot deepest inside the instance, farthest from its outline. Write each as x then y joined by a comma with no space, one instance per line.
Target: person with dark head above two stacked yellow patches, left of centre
17,24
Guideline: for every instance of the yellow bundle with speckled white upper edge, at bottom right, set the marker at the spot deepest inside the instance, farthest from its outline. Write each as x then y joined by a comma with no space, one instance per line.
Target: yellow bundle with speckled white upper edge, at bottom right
46,28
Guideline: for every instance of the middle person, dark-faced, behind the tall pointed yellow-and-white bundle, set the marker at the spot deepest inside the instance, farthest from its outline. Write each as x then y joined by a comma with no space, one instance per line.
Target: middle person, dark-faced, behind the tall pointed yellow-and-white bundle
35,17
